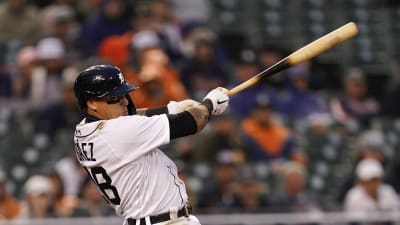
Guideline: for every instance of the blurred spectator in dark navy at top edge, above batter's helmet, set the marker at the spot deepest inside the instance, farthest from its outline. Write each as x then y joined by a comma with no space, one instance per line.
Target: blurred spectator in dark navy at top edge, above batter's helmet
112,18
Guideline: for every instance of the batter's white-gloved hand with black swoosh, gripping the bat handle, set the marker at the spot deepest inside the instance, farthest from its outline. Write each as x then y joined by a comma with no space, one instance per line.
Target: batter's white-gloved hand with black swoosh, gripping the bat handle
219,100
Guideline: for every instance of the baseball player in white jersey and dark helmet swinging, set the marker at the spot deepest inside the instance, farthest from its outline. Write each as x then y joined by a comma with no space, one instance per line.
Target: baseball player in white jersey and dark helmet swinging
118,146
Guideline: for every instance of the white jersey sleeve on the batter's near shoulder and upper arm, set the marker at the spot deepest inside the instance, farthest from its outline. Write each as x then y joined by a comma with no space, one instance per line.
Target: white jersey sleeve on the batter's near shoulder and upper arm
133,136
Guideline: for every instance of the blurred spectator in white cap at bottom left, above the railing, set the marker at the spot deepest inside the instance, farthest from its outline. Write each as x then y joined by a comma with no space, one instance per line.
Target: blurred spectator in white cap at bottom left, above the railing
37,198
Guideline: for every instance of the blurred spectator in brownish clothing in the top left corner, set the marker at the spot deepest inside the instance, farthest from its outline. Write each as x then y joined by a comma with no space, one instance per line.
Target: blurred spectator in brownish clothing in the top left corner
19,22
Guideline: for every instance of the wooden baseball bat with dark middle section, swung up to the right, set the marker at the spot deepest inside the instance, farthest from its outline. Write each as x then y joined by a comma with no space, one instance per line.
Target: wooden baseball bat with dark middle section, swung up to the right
303,54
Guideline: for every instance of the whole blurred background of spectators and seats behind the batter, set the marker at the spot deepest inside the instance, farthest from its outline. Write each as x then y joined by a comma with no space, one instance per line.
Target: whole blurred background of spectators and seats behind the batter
320,137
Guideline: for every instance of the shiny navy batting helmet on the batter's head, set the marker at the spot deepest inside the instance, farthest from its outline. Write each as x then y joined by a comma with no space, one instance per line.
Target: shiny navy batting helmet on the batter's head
100,81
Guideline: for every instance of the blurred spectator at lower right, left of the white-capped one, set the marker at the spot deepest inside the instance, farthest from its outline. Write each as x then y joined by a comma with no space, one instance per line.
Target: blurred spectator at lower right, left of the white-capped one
293,196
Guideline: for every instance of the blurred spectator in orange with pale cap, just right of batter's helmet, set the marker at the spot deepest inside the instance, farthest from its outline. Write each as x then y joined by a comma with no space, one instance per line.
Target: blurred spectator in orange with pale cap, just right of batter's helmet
159,82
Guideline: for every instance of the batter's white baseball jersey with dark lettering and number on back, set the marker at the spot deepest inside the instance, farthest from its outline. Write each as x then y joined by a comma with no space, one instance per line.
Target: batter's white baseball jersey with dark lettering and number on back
123,158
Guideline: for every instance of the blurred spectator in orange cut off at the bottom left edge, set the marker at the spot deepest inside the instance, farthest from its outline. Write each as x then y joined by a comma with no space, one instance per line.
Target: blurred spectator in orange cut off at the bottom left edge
9,206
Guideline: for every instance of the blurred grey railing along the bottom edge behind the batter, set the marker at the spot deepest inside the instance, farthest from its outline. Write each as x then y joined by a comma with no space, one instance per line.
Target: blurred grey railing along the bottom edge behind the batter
238,219
